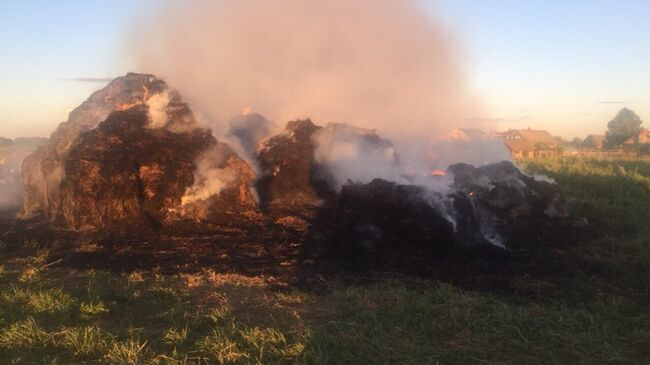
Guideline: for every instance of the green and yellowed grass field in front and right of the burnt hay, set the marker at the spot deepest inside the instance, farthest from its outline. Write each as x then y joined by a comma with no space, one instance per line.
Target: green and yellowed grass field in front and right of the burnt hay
596,312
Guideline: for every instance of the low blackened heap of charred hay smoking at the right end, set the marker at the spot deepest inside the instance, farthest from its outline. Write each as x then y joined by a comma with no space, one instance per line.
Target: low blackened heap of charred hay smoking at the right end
491,207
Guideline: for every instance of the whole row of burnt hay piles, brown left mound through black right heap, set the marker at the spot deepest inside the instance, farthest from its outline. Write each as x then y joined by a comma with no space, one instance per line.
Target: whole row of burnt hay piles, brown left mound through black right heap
132,157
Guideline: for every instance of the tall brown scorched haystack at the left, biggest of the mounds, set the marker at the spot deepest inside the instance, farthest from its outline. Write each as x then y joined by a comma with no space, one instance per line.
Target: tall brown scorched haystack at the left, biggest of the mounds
133,155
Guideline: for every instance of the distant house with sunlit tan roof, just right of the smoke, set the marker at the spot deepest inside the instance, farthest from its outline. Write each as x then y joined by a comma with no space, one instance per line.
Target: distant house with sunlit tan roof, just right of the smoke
524,143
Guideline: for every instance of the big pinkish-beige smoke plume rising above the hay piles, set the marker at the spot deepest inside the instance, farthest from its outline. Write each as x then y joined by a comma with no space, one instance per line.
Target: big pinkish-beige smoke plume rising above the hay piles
381,64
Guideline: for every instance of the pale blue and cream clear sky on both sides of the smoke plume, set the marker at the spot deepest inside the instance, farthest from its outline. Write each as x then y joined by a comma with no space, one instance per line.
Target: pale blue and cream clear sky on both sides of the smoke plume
565,66
